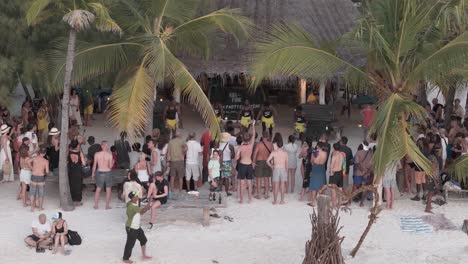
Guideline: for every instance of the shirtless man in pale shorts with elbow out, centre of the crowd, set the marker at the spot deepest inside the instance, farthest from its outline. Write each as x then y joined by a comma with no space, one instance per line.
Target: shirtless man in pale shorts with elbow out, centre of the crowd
278,160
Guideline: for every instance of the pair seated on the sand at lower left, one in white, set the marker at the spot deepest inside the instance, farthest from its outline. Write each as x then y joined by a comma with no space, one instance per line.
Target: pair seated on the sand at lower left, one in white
48,235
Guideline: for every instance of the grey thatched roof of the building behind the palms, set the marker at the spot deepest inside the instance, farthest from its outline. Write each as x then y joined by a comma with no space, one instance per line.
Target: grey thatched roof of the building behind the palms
326,20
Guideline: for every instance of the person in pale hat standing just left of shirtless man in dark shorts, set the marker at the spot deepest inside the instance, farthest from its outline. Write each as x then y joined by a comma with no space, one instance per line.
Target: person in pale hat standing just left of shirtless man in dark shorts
226,154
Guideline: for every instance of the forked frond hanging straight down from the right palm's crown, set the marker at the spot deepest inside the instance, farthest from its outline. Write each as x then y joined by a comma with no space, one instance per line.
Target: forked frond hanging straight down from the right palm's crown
393,137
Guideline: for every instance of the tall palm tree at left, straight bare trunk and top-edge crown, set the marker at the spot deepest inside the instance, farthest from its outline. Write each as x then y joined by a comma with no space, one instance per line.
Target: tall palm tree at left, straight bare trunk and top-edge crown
79,15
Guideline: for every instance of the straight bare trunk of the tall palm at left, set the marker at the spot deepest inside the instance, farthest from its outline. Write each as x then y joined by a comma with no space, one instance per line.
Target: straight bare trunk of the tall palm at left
64,187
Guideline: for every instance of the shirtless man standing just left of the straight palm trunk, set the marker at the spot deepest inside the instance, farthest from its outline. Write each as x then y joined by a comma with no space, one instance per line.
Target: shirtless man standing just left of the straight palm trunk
40,168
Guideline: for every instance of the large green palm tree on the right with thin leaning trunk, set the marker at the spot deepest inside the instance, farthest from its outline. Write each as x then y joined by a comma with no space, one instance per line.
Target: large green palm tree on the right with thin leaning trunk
403,45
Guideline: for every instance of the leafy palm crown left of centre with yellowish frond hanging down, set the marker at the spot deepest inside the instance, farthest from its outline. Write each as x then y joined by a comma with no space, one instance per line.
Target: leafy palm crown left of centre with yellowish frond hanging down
158,33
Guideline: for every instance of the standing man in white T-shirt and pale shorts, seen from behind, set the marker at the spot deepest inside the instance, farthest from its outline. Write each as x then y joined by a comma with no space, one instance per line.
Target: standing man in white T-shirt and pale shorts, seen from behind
192,168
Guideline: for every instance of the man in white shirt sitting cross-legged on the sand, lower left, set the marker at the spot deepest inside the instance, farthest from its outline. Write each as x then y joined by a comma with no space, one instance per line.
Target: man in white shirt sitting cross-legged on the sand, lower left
40,239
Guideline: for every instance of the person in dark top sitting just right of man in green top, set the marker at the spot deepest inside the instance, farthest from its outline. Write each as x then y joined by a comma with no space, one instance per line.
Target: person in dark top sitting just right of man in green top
157,194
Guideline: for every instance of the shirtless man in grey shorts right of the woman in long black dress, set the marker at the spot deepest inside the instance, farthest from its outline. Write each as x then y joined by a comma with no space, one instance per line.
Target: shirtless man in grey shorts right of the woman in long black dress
103,160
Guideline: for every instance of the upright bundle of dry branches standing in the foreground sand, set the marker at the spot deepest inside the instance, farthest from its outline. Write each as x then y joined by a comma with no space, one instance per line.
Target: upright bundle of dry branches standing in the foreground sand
324,247
